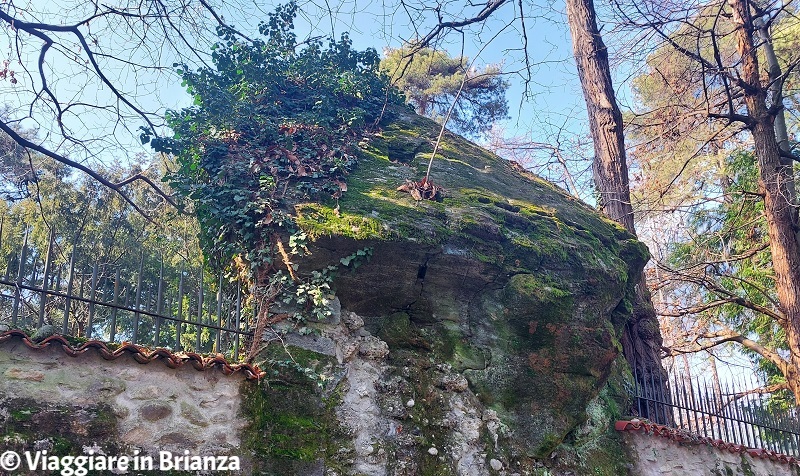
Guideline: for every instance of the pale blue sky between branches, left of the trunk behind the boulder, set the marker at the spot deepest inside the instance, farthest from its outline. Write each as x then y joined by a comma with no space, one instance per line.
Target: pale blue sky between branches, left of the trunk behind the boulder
550,108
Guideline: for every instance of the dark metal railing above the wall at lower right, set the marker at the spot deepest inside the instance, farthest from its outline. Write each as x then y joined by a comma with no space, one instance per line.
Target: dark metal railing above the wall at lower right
734,411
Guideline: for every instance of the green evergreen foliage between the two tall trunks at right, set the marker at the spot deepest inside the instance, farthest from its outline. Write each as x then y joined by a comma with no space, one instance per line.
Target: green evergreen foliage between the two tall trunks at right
727,257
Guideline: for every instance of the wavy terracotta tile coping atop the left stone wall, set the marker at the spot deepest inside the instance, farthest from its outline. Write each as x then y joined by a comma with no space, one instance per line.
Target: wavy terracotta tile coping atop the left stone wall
142,355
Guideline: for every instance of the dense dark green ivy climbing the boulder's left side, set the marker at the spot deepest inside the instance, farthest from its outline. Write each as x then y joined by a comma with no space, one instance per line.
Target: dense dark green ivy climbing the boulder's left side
274,123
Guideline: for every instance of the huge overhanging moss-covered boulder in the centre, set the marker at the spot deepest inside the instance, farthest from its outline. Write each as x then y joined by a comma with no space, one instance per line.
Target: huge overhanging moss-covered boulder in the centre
506,298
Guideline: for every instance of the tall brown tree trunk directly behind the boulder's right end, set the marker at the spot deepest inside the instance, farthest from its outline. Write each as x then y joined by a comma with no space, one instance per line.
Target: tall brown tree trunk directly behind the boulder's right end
642,338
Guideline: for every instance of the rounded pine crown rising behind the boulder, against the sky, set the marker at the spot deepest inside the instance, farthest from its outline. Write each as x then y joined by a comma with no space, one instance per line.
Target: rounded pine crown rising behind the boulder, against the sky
431,81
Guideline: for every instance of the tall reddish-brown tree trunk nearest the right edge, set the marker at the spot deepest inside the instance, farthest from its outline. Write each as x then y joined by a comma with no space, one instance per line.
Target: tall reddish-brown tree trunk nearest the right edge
775,179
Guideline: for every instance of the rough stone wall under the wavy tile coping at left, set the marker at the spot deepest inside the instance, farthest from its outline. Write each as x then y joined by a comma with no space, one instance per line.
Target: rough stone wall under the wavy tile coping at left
52,401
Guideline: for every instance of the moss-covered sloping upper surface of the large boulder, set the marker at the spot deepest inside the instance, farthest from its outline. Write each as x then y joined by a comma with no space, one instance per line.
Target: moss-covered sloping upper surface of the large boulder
534,215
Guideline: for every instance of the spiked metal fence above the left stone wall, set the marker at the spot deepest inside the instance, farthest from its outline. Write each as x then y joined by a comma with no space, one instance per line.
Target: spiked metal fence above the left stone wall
180,310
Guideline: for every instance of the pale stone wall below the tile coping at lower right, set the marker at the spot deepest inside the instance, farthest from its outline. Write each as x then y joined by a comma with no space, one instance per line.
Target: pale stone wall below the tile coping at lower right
652,455
